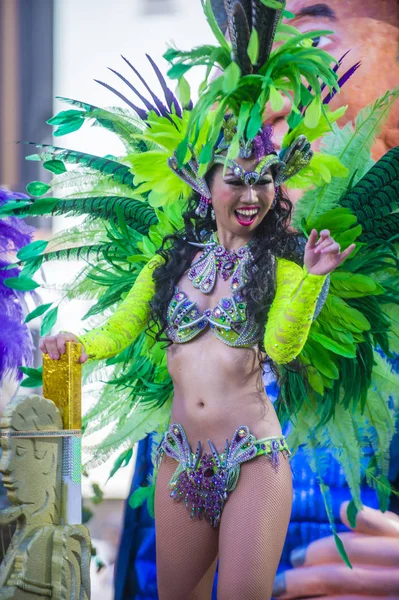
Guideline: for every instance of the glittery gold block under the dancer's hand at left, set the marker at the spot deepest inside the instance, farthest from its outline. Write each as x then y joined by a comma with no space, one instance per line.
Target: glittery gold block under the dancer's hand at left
62,383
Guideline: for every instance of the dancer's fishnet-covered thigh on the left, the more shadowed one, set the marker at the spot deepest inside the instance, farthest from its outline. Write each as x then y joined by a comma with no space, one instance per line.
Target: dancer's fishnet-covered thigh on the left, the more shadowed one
186,549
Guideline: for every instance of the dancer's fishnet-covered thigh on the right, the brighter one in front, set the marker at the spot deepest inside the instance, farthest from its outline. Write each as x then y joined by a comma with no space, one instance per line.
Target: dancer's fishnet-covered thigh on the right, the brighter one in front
253,529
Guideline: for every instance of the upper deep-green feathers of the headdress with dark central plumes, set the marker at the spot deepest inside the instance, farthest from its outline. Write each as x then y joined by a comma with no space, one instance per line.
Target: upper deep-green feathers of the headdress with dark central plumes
251,74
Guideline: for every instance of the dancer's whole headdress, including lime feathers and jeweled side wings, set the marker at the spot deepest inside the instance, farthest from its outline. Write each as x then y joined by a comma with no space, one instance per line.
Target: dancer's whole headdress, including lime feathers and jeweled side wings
248,76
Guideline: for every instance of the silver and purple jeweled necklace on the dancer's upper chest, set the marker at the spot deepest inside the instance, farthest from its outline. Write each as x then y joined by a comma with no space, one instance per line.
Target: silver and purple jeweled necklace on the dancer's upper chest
216,259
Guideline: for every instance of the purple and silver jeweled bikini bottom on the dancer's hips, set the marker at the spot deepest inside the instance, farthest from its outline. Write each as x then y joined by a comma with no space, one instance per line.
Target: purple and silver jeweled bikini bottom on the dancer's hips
204,481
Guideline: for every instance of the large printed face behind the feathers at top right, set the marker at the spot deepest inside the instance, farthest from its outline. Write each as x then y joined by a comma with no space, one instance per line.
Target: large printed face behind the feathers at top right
370,30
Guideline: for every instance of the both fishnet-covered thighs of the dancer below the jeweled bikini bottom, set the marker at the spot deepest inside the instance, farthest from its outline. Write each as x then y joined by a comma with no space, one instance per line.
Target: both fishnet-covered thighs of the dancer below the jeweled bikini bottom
251,536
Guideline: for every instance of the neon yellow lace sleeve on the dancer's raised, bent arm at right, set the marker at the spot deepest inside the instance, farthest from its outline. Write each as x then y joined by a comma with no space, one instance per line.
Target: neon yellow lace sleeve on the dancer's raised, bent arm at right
290,315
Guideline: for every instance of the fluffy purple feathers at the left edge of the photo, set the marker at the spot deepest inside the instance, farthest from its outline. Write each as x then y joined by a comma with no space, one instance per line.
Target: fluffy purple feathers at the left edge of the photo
16,347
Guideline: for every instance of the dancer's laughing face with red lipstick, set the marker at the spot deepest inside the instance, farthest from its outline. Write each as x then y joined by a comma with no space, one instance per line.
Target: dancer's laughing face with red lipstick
240,208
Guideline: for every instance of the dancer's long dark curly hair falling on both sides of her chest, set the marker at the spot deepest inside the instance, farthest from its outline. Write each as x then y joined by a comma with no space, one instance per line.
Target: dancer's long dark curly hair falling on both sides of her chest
272,238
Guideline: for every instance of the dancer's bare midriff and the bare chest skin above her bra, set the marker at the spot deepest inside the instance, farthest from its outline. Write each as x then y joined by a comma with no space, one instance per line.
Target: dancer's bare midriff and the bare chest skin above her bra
217,387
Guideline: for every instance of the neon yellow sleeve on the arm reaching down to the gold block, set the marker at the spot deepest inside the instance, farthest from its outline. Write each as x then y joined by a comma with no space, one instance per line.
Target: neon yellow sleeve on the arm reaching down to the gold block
128,321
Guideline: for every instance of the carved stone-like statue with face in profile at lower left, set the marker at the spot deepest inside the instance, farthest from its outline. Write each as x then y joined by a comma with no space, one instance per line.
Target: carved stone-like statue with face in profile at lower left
45,559
